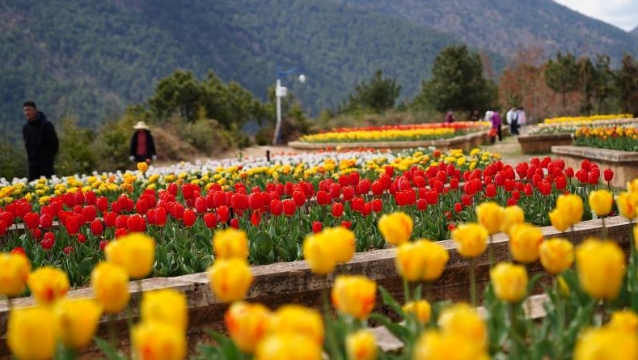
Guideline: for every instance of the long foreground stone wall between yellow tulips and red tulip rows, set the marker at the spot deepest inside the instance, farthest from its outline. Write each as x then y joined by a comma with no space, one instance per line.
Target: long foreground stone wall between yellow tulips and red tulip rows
293,282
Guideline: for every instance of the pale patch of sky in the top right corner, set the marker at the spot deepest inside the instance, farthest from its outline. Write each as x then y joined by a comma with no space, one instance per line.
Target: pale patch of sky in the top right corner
621,13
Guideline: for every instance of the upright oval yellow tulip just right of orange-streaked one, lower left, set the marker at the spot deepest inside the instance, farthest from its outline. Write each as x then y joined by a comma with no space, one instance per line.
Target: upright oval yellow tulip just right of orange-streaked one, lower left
110,287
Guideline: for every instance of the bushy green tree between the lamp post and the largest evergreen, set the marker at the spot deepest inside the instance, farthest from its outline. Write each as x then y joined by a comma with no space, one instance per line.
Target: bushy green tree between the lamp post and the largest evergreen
377,95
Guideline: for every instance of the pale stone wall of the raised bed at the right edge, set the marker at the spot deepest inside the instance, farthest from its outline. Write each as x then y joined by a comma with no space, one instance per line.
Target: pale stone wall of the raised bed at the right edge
623,163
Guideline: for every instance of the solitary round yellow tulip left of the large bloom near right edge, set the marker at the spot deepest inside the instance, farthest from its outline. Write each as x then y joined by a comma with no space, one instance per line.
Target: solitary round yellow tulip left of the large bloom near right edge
510,282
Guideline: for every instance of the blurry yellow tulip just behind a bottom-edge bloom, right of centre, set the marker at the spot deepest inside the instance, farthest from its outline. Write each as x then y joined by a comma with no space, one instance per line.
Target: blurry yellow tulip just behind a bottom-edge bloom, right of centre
463,321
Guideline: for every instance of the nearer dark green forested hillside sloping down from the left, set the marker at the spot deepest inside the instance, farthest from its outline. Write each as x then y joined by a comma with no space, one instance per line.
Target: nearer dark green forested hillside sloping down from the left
90,59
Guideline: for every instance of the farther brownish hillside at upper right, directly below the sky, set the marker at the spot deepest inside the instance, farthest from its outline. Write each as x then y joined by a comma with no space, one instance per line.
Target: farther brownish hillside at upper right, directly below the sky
504,26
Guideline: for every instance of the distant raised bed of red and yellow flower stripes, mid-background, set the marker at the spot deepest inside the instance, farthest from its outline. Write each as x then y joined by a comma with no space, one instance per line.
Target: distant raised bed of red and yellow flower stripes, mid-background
390,133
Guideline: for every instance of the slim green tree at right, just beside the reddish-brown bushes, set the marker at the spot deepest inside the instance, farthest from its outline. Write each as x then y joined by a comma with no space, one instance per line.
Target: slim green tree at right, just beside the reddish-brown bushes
562,75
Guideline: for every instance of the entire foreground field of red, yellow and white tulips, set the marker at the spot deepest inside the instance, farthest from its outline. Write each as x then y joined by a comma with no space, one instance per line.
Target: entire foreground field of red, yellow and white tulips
105,230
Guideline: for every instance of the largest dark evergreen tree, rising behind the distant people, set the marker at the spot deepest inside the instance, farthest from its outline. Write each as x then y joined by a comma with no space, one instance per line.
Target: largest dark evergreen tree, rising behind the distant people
457,83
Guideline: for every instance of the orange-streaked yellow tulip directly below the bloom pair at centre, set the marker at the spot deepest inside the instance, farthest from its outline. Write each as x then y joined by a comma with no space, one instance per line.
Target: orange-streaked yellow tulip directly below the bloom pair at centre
354,295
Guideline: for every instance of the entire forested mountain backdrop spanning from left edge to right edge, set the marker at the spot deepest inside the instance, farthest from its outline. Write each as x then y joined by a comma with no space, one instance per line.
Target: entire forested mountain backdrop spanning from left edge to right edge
91,59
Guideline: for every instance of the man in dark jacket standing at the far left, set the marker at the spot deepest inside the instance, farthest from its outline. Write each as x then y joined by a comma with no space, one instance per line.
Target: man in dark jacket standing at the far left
40,140
